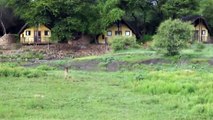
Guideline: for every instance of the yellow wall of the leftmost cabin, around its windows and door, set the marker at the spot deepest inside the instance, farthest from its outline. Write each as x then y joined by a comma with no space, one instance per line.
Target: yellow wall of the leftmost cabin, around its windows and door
30,39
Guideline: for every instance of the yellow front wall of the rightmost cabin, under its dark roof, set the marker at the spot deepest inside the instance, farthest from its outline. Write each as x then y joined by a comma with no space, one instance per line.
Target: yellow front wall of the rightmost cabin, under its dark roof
200,28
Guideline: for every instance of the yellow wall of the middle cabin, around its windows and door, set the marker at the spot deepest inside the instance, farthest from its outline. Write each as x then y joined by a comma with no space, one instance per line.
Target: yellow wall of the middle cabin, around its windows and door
123,28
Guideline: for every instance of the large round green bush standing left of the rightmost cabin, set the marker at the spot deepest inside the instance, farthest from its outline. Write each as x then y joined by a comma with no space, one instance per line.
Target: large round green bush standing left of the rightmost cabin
172,36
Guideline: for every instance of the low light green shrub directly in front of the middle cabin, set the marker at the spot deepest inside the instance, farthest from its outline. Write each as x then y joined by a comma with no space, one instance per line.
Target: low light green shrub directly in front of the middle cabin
122,43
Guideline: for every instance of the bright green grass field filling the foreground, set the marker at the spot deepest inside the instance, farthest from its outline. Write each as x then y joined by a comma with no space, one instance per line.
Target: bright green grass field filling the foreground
179,89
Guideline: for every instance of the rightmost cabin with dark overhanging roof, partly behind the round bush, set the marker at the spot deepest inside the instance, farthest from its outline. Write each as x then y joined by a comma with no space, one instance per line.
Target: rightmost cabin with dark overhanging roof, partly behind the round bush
201,28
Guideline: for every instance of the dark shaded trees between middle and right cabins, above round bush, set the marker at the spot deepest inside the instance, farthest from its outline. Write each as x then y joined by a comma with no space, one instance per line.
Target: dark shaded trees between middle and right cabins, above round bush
146,15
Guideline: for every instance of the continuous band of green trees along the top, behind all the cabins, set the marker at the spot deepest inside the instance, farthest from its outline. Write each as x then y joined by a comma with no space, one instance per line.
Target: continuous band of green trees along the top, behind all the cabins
70,19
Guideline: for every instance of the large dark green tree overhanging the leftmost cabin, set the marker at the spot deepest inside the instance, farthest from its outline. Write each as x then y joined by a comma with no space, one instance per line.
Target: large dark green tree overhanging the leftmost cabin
65,17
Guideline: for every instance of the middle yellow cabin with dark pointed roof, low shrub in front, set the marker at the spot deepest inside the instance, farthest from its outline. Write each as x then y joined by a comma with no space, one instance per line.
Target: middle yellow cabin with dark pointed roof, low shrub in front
120,28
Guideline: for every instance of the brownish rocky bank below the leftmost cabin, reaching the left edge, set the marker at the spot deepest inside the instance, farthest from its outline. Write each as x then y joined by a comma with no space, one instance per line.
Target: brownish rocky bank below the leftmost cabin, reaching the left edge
57,51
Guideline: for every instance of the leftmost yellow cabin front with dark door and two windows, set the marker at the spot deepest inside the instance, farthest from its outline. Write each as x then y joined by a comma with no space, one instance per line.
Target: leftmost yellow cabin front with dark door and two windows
40,34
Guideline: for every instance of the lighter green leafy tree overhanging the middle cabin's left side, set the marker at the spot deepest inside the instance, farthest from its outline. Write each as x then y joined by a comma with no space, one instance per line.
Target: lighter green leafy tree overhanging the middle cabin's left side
105,12
